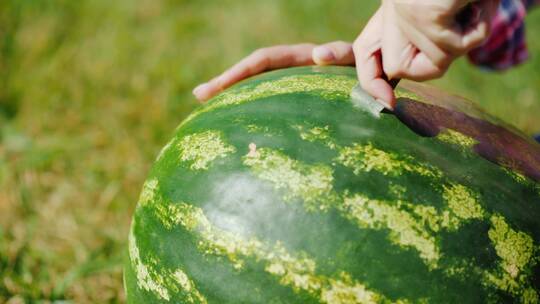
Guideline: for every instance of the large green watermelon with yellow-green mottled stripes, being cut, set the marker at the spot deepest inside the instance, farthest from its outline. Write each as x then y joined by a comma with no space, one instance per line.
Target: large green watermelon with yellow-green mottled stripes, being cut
280,190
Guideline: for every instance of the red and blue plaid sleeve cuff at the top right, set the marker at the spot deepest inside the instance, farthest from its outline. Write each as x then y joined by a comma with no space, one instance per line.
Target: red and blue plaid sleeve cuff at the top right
506,45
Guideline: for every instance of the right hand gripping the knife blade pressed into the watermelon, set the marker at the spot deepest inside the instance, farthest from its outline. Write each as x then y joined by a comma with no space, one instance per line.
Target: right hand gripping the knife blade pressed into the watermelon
418,40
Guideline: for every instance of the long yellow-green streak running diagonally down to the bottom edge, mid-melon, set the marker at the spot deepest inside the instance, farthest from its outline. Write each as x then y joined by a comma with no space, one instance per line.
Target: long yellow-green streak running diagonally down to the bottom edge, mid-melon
298,272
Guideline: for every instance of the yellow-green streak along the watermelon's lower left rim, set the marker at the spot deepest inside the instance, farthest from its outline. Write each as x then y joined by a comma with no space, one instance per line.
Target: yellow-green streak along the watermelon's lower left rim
160,281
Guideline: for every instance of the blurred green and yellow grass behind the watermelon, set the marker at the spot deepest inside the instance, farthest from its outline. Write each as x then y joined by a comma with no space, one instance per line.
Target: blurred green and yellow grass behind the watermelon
90,90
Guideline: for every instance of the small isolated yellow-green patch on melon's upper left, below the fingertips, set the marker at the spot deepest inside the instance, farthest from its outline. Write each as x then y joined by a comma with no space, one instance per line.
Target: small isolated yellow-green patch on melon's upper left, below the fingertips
200,149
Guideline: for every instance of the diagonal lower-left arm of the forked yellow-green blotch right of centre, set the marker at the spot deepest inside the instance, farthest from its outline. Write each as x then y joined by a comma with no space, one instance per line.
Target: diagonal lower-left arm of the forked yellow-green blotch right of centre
405,230
